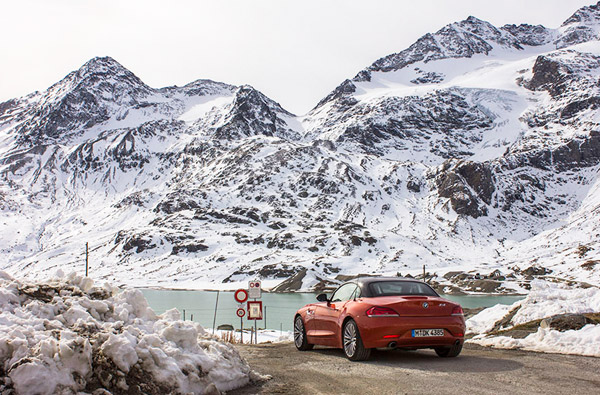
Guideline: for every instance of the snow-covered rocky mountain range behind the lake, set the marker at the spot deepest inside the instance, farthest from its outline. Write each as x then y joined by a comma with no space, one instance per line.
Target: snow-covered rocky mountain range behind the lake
476,148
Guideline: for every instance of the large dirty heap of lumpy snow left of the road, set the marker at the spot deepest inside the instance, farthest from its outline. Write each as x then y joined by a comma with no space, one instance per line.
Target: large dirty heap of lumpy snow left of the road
68,336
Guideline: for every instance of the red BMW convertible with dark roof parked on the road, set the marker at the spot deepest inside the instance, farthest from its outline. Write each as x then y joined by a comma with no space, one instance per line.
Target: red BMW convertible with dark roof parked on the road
381,312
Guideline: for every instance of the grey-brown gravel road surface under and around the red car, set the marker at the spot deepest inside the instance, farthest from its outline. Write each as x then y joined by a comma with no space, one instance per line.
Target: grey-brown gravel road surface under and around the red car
477,370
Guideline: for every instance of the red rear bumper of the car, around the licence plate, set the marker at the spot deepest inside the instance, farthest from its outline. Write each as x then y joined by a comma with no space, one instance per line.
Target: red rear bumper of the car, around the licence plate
379,332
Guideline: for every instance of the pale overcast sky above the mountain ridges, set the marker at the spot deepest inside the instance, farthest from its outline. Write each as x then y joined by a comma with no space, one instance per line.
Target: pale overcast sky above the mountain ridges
293,51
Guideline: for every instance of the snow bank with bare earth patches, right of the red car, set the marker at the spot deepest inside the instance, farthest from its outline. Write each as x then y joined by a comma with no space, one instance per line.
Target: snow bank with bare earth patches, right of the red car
545,300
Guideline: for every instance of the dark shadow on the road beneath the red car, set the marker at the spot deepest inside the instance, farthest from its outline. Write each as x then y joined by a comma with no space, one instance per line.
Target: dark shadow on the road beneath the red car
427,360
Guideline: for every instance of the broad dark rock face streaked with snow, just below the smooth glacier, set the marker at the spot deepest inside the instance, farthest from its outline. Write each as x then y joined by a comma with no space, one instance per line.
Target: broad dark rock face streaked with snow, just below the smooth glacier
447,123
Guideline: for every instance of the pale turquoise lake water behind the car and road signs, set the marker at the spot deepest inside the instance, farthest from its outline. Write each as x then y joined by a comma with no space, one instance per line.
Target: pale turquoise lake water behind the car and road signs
280,308
